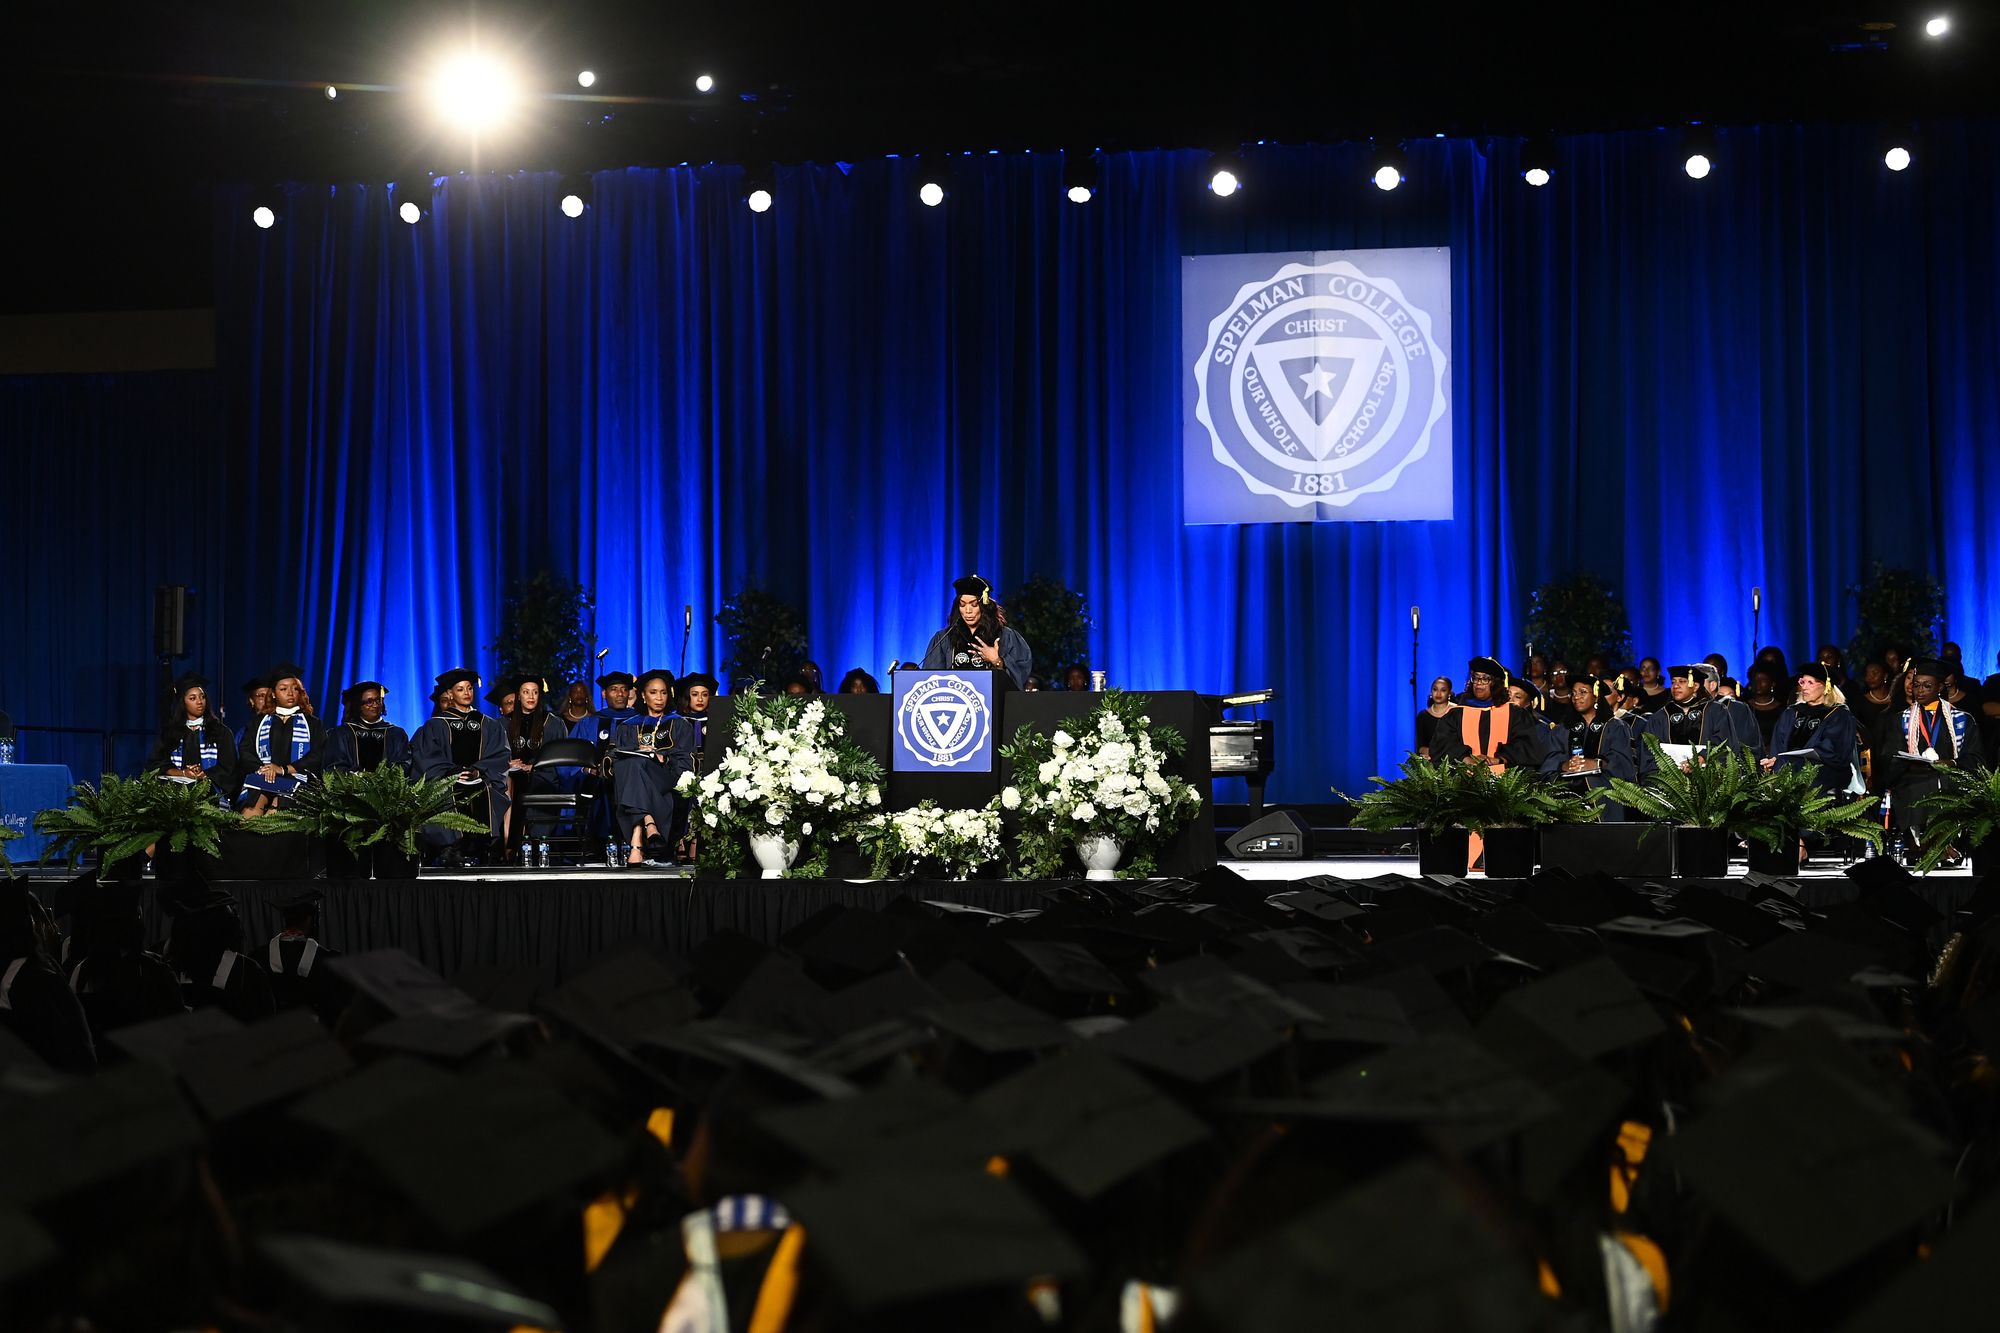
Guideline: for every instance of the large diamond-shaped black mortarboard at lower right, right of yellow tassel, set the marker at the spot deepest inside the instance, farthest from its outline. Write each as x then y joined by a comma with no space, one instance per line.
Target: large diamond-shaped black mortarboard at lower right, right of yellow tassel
1811,1170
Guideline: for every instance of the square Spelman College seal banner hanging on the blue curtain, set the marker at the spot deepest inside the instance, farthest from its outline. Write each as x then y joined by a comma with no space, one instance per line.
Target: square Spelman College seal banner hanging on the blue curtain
1319,385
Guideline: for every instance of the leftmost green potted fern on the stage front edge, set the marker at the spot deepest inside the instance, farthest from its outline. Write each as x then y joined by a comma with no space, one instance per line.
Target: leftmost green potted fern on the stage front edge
121,818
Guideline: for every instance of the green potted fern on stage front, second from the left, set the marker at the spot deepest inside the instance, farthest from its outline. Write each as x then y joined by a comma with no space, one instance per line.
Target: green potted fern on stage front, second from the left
369,822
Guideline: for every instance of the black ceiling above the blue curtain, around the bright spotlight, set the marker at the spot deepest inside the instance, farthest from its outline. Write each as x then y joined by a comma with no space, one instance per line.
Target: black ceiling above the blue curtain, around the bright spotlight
145,109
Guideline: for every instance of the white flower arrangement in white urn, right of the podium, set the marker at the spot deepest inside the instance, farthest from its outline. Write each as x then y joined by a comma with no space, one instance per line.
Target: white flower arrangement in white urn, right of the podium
1107,782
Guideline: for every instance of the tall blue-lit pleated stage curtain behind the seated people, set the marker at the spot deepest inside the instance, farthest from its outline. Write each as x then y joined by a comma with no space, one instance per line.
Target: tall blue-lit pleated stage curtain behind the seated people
1771,379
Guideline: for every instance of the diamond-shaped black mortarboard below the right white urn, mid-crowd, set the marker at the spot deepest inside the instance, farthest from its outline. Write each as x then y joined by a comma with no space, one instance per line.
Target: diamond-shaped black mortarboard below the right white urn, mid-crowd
1089,1122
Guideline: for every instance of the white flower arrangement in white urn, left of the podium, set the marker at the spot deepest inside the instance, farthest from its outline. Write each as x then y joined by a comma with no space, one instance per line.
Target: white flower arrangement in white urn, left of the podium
791,772
